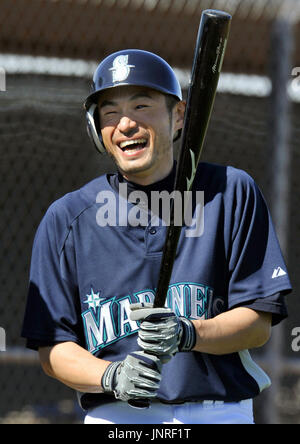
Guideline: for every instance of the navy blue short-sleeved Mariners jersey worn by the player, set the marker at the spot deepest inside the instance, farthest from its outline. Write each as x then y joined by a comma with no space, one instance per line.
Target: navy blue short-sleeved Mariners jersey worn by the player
84,276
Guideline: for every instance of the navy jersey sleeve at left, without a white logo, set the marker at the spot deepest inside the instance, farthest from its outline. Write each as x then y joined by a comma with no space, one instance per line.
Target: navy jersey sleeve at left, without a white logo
51,314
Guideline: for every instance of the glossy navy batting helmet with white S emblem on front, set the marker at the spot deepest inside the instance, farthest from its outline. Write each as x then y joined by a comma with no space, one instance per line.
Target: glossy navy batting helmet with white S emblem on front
128,67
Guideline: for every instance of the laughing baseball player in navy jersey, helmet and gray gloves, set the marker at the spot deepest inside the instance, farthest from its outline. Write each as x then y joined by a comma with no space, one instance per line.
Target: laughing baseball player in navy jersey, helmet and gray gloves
96,259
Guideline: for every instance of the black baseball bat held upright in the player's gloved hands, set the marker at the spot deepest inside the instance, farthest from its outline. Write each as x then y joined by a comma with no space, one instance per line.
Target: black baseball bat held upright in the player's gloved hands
207,64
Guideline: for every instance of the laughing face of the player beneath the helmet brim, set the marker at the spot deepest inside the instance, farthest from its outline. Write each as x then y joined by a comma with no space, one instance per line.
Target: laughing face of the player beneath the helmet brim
137,130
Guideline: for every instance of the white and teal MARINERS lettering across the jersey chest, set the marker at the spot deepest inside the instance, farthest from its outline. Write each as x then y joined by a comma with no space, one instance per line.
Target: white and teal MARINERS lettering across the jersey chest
107,320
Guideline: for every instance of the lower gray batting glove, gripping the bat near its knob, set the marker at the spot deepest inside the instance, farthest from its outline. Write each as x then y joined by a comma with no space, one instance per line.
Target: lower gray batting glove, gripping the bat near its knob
137,377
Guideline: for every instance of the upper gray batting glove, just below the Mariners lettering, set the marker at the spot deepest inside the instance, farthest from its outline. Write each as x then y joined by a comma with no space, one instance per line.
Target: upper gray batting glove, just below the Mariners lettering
162,332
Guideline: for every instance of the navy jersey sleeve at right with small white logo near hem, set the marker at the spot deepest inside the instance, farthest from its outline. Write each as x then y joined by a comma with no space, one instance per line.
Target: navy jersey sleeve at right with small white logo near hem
257,269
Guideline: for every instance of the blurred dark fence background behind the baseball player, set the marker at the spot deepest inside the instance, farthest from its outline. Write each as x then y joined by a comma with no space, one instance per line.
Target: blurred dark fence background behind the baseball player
48,52
